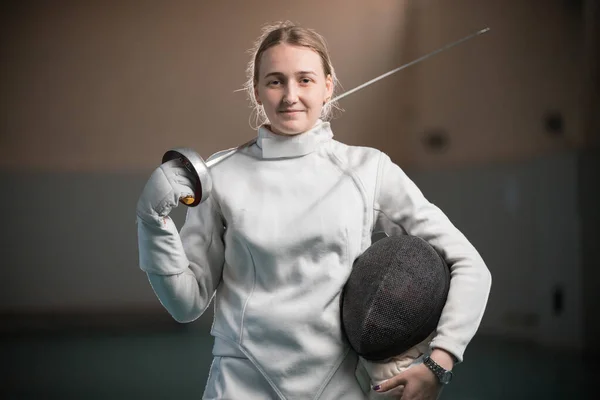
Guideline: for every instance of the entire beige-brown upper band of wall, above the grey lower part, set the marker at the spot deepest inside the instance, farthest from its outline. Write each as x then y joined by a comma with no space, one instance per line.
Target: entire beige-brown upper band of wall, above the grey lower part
110,85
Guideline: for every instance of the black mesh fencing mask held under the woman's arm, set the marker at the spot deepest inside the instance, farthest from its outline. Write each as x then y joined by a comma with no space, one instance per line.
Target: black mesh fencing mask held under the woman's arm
394,296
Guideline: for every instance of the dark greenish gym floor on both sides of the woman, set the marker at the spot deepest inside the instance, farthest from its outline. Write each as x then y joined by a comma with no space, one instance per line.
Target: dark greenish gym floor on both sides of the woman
173,364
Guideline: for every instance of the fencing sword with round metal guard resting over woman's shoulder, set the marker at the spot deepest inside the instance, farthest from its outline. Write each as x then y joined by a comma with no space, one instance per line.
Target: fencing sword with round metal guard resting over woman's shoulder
199,169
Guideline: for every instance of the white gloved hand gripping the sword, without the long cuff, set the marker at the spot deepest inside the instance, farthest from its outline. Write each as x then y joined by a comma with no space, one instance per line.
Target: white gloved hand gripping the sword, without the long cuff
167,184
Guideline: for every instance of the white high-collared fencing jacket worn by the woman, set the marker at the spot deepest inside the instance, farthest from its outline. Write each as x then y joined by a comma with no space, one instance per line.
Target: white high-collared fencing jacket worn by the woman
276,242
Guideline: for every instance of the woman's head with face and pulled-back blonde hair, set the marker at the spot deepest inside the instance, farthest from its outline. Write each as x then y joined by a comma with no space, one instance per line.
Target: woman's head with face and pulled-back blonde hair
291,79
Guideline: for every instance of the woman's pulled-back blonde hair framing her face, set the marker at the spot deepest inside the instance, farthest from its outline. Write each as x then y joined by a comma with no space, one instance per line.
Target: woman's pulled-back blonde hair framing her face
292,34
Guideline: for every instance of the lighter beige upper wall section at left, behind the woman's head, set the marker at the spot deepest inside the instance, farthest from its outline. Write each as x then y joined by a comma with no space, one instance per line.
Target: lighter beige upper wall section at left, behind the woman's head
111,85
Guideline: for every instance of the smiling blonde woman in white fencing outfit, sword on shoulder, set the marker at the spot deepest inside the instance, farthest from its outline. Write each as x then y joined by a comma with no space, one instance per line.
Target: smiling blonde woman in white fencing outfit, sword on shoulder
276,241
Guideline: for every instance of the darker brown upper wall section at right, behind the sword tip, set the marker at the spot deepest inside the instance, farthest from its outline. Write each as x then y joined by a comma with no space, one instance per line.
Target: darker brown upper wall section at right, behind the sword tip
491,94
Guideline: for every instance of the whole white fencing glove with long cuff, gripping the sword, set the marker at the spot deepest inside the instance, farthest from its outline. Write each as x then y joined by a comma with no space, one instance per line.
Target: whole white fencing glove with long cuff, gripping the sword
160,249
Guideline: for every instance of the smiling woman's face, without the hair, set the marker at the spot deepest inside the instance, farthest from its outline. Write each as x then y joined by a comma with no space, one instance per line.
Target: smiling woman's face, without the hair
292,88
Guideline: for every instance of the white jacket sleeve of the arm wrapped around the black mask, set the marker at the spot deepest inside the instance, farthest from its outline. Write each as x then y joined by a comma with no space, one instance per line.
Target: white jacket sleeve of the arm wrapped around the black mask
399,203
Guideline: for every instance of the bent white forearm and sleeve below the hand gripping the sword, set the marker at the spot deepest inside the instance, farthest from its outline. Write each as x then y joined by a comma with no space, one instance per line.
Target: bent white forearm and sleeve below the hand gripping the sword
184,268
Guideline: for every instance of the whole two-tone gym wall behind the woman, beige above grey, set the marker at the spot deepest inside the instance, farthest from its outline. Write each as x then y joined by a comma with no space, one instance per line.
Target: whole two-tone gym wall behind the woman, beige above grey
94,92
